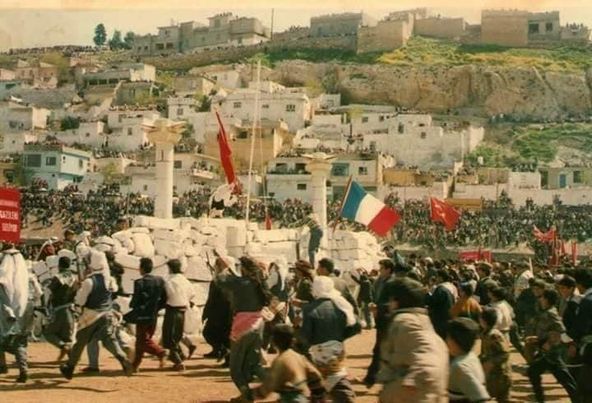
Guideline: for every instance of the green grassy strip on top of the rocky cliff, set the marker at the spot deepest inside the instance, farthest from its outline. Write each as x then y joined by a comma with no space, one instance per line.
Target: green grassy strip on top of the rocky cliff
423,51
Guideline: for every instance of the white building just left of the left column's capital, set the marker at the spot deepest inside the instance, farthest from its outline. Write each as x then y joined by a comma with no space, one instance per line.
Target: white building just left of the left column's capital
126,129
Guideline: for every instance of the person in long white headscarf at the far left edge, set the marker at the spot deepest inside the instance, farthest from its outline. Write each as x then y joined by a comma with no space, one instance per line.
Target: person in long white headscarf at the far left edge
16,310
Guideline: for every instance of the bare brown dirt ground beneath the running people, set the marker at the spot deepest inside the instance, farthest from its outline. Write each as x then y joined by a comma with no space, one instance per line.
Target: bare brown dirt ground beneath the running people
203,380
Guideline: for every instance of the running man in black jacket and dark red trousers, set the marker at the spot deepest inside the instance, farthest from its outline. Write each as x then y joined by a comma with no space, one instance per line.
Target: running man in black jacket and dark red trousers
149,297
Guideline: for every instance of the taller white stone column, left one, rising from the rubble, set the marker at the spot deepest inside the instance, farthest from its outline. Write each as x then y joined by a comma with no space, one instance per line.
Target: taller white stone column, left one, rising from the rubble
164,134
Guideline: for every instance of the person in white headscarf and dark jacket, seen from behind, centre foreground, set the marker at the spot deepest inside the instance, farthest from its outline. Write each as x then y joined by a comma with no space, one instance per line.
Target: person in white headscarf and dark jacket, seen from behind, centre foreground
325,321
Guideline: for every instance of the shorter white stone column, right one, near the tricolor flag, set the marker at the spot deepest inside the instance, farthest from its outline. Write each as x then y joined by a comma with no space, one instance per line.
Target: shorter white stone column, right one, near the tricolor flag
319,166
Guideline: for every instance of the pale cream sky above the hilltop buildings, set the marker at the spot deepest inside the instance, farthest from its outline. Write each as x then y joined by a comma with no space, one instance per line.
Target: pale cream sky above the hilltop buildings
30,23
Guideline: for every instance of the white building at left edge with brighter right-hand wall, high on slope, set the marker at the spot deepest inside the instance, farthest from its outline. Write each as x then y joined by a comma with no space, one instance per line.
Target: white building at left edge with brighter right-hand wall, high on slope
15,117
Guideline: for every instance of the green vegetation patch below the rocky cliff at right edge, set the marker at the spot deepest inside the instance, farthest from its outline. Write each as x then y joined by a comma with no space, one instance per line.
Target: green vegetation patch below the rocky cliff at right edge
534,143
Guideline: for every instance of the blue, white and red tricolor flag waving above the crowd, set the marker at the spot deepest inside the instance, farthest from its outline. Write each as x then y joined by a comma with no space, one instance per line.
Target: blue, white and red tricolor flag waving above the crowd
366,209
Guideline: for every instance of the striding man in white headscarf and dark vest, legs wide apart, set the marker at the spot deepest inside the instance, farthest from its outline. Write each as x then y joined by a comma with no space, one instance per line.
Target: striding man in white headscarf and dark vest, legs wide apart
97,321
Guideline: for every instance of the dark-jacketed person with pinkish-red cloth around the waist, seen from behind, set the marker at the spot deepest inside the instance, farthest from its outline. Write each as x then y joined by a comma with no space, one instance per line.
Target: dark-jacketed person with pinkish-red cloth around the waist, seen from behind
248,295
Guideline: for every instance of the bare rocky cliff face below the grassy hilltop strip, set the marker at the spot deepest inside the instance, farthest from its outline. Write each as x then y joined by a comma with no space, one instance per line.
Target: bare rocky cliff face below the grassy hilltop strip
525,93
